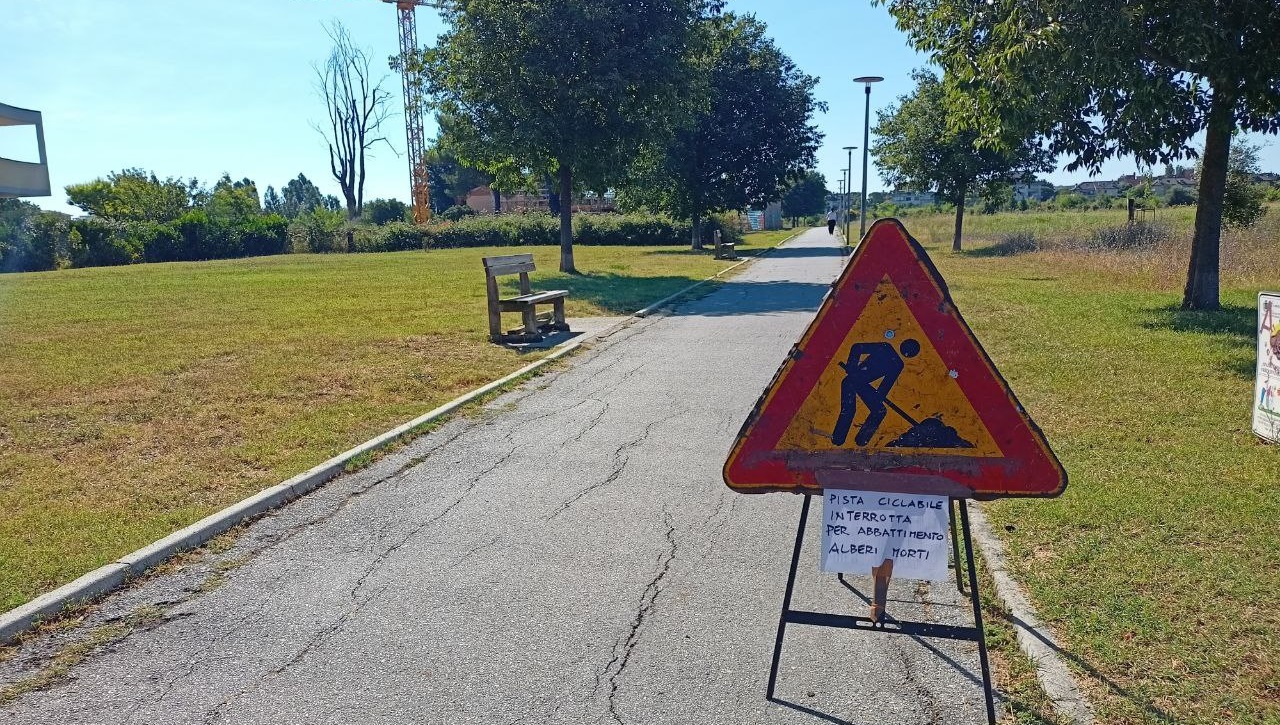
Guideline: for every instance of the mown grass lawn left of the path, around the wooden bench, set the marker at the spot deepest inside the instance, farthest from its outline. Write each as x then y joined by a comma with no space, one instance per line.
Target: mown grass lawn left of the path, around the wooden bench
138,400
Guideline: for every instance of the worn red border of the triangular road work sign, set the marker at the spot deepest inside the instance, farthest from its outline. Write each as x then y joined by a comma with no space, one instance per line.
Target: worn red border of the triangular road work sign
1030,467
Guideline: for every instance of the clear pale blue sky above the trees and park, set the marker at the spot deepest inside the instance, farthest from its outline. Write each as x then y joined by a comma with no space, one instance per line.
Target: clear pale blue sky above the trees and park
199,89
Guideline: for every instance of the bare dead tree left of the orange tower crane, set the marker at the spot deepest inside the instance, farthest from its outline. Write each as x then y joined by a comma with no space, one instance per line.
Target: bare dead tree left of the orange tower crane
356,108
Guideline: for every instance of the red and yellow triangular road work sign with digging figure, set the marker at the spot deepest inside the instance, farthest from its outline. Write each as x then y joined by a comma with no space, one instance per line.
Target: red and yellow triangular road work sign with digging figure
889,390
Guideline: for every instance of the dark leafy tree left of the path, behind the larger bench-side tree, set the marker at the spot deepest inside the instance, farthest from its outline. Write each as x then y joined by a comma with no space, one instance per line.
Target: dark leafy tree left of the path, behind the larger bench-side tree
726,159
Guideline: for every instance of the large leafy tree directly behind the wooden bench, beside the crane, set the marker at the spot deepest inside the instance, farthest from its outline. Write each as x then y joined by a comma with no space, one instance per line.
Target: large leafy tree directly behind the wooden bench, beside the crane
574,88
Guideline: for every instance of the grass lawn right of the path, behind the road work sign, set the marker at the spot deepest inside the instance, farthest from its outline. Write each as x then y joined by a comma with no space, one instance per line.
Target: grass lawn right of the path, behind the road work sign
1159,567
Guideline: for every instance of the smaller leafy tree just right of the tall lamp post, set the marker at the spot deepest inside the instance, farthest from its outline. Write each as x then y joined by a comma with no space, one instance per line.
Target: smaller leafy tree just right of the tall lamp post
918,149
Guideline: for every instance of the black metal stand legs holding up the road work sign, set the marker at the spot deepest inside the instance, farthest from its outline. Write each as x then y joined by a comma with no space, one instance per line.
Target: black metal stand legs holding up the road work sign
889,624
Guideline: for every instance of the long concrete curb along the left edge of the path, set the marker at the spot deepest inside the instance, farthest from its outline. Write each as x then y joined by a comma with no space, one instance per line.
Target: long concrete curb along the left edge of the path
109,577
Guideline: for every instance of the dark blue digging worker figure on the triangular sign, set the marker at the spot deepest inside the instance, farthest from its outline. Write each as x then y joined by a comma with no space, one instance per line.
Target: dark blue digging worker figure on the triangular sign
870,376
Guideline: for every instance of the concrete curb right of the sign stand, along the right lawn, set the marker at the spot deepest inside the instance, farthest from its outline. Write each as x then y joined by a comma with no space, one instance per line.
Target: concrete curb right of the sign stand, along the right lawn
1035,640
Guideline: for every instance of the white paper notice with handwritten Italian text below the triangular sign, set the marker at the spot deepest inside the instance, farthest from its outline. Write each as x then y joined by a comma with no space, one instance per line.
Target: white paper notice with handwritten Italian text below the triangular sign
861,530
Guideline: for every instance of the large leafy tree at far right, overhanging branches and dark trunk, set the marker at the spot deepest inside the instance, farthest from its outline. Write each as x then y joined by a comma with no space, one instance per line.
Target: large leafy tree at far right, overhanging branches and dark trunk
1139,77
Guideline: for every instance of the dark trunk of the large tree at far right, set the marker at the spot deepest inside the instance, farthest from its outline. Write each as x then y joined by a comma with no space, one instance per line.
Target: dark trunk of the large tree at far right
1203,272
